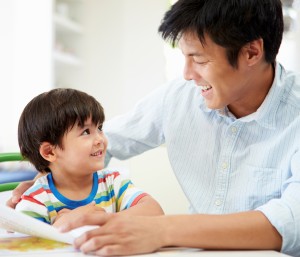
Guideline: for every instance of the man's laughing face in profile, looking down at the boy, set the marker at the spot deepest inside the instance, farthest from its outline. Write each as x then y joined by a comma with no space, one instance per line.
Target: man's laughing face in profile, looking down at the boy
221,84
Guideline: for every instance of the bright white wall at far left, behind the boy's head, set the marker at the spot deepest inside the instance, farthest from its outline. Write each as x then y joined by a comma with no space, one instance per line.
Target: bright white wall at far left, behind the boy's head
25,61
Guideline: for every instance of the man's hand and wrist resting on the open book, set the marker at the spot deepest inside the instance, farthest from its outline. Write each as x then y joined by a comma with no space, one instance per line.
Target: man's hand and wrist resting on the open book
118,234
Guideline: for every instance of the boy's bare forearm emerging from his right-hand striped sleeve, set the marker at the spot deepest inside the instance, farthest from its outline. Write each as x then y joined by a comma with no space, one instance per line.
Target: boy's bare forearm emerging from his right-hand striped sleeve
146,206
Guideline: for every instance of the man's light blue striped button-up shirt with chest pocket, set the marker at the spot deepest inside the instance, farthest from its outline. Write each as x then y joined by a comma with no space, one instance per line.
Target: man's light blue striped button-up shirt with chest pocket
224,164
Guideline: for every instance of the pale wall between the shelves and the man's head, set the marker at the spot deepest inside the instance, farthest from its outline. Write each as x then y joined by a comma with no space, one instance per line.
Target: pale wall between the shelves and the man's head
129,61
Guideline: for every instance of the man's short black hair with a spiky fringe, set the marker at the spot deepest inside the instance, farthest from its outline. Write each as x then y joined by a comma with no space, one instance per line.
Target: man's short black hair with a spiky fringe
229,23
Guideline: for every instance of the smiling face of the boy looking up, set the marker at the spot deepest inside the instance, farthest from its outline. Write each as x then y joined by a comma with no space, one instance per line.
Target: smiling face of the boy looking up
83,150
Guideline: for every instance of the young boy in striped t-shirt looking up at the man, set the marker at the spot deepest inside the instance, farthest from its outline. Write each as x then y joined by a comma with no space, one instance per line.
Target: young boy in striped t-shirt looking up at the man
60,133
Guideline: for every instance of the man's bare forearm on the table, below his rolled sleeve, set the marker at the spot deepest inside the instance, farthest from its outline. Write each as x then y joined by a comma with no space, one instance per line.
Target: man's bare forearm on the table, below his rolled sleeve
247,230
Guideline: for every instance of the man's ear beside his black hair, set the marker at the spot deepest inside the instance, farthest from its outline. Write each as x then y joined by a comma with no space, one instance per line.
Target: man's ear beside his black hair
253,52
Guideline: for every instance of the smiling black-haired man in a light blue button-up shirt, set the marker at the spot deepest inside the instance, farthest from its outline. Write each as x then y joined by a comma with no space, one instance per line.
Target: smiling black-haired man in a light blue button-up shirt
232,131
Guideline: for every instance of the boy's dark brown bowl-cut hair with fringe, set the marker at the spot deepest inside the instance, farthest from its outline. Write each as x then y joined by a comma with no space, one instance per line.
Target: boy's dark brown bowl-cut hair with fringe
49,116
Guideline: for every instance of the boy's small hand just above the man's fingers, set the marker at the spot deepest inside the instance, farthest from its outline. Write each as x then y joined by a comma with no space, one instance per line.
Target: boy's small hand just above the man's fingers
65,215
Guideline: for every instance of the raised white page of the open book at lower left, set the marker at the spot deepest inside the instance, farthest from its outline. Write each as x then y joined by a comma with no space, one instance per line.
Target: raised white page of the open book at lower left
12,220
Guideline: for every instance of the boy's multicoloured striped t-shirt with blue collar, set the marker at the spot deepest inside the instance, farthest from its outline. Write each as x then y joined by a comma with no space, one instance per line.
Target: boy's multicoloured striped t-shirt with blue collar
110,190
